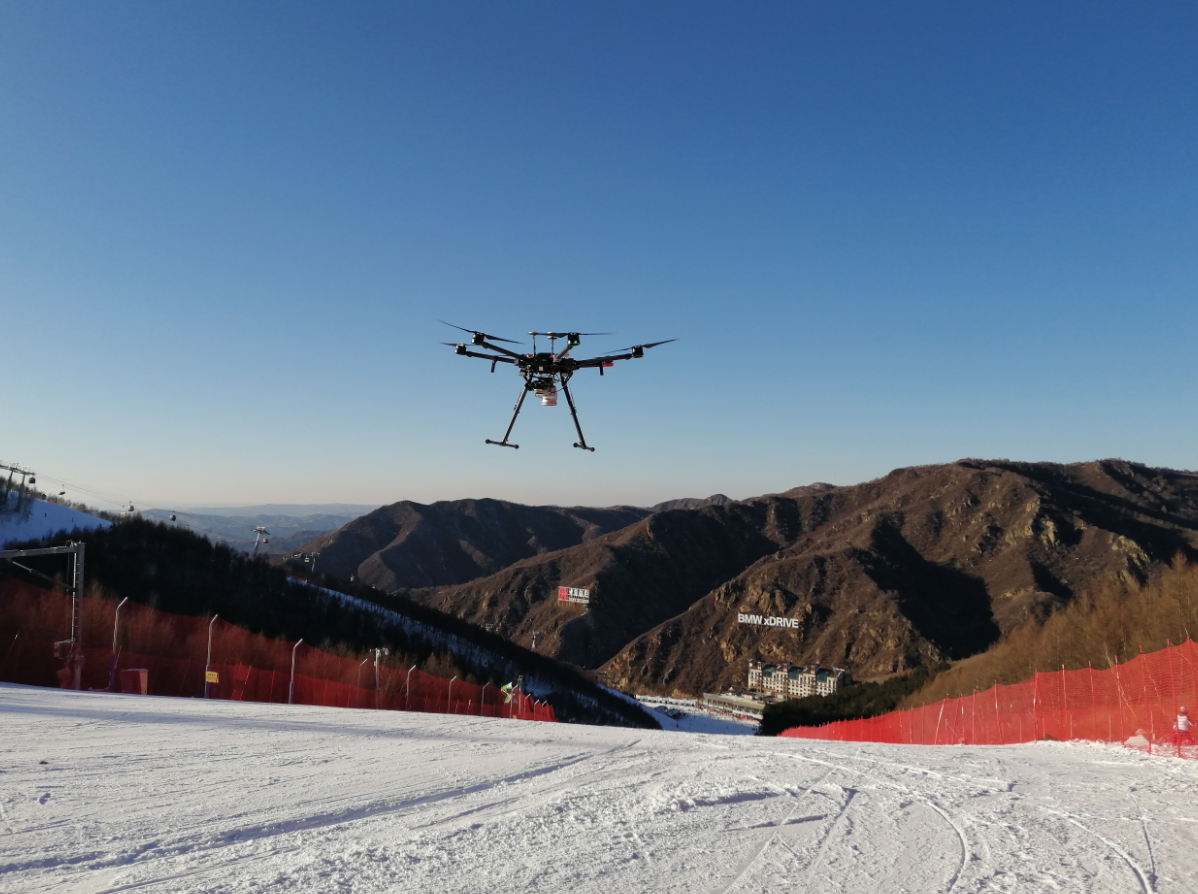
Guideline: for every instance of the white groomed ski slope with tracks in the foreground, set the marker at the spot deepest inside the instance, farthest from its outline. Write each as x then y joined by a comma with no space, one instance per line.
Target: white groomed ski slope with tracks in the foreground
113,794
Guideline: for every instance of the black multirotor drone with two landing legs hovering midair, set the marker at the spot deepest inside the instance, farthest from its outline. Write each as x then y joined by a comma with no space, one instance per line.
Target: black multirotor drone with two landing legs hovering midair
546,373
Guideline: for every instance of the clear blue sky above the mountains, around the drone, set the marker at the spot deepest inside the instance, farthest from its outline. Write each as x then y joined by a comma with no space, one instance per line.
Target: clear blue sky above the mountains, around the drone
887,234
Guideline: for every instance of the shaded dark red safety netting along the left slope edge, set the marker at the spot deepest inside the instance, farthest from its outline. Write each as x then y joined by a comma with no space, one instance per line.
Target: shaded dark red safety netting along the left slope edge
176,653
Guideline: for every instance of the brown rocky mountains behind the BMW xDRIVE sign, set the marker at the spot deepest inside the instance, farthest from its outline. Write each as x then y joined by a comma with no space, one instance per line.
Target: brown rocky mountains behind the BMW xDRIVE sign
924,565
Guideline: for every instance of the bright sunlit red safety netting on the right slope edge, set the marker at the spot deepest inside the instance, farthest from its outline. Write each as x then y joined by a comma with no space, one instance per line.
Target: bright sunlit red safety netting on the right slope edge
1136,704
